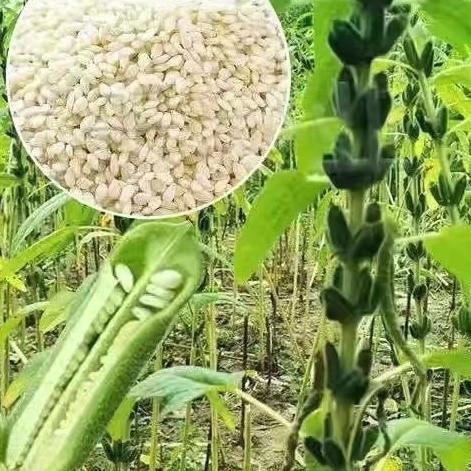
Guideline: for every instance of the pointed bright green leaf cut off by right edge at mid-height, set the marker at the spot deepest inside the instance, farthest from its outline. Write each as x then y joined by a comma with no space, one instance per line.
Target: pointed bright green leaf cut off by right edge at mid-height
450,248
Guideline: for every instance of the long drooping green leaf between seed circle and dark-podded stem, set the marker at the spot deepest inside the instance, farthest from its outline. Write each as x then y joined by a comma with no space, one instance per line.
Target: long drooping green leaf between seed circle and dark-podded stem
285,195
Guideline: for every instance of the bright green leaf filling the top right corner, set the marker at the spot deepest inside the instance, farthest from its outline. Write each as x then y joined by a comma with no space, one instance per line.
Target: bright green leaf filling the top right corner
449,21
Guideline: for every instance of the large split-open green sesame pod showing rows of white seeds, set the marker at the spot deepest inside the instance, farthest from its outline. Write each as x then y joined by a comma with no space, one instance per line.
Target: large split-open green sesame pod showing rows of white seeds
112,332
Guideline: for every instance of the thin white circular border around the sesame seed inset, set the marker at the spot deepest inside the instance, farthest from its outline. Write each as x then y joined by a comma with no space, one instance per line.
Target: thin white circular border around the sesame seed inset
198,208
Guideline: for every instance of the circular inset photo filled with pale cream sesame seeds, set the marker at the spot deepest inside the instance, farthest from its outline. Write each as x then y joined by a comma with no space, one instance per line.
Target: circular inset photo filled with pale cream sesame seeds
148,108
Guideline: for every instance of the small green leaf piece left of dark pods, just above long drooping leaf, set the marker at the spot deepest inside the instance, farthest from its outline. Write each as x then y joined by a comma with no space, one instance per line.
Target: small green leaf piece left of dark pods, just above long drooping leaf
314,138
